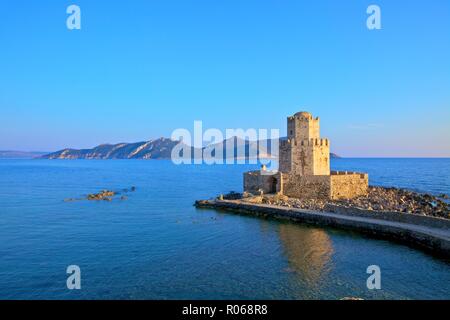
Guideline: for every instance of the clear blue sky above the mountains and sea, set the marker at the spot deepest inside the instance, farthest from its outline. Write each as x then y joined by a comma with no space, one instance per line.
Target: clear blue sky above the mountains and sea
139,69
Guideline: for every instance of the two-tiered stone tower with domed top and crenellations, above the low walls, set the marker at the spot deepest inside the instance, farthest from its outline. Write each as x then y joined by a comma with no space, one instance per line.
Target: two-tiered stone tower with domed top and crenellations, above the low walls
304,153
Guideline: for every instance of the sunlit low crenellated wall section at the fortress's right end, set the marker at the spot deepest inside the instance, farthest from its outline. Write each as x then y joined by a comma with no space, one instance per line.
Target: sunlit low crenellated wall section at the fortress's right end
347,185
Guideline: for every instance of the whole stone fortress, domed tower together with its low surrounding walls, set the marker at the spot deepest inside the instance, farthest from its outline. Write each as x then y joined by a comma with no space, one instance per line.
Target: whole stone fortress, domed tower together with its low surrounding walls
304,167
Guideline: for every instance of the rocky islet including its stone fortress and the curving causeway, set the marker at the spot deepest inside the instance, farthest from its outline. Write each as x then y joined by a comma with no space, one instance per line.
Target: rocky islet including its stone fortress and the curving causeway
304,189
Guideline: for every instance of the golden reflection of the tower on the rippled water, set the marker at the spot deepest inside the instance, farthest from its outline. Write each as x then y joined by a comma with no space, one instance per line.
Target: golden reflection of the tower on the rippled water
308,250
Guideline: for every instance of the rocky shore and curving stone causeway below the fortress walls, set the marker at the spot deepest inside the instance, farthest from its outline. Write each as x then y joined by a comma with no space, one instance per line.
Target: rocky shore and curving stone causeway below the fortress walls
404,216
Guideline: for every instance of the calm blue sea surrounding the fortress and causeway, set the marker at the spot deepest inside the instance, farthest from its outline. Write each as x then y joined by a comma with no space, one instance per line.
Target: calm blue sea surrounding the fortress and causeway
156,245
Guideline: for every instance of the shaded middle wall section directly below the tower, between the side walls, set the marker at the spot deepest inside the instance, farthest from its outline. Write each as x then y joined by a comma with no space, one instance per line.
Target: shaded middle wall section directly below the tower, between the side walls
306,187
